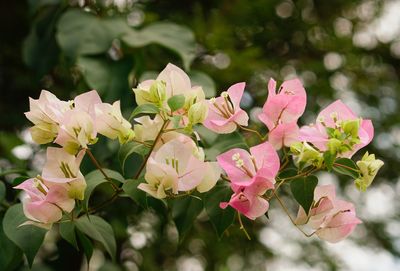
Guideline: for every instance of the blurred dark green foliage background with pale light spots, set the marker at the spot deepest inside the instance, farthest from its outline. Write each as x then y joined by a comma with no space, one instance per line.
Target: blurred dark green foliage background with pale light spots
341,49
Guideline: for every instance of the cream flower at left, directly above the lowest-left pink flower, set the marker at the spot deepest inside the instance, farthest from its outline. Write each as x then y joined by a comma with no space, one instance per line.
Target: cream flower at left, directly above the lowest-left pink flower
62,168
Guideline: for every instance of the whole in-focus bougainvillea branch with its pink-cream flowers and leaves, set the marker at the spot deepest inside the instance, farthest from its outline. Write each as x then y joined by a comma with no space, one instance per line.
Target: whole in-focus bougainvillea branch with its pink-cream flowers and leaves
193,158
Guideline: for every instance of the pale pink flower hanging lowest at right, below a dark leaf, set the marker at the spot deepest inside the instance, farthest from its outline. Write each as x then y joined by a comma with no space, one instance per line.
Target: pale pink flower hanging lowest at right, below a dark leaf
331,218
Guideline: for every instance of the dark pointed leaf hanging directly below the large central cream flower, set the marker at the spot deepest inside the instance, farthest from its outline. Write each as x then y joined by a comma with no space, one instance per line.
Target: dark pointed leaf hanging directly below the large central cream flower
184,213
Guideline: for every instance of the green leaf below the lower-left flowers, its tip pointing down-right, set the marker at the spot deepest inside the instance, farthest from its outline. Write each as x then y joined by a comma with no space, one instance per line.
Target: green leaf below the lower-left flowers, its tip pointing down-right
98,229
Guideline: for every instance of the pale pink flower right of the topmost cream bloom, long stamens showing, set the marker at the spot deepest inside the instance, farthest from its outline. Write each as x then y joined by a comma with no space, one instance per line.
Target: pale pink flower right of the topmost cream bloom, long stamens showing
224,112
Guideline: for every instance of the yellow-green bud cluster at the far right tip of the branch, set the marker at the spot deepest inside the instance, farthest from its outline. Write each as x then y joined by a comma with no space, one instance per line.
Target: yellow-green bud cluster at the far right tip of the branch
369,167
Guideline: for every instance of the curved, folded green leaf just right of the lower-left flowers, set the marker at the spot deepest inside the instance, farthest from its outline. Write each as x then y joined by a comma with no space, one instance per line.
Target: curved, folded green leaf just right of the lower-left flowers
96,178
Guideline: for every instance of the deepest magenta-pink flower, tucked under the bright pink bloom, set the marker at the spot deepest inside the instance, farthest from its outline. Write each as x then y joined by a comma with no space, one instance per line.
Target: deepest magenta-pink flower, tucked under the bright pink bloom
248,200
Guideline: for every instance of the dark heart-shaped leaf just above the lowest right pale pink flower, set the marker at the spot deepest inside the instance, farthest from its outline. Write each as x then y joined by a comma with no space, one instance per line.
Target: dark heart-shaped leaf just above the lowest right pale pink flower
303,190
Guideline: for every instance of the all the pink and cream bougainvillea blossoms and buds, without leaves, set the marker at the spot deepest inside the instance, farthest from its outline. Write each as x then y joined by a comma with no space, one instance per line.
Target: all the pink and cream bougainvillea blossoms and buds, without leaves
176,164
